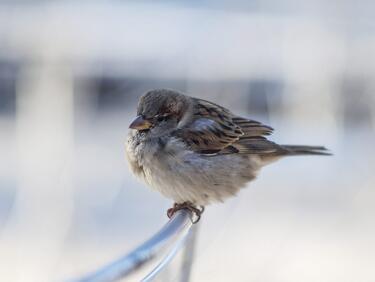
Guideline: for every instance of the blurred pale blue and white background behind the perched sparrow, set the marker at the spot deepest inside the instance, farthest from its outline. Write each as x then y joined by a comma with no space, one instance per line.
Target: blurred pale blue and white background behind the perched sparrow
71,73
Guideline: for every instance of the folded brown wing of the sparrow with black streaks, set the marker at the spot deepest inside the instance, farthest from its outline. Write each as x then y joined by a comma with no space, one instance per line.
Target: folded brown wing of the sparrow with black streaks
215,130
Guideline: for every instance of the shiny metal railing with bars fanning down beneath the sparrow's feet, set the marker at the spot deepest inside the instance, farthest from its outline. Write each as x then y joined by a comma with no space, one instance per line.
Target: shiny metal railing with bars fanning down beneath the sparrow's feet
162,247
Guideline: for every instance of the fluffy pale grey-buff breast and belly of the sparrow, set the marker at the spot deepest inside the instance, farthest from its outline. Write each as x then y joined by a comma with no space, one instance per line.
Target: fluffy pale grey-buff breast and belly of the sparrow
183,175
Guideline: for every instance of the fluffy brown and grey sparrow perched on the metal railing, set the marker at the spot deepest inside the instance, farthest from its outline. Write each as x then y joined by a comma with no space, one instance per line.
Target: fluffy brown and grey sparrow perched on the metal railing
196,152
